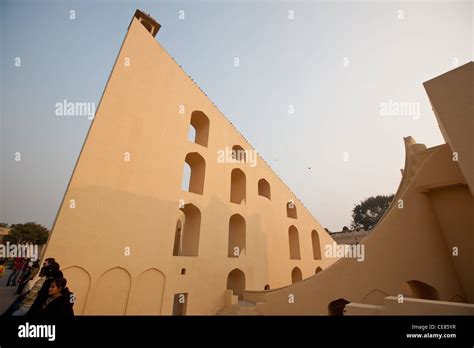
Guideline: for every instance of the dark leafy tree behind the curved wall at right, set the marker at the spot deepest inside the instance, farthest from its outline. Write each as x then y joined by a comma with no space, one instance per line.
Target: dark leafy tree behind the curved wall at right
367,213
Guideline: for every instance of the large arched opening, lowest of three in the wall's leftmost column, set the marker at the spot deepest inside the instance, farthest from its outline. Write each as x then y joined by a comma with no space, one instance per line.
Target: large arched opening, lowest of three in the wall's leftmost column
190,230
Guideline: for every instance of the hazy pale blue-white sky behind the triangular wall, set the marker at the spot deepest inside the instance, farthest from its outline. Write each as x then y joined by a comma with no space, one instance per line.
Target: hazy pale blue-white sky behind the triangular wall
336,62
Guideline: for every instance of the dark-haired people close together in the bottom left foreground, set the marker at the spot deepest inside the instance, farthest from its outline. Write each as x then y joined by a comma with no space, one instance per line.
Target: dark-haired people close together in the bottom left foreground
48,298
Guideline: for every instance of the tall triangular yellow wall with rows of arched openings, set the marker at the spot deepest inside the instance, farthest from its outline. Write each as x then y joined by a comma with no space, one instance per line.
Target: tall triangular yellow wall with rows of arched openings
125,227
